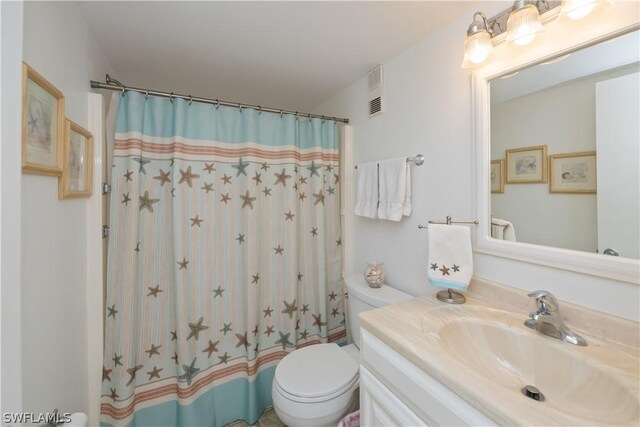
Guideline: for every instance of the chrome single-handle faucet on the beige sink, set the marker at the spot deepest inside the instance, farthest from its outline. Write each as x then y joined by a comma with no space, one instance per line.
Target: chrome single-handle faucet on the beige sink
546,319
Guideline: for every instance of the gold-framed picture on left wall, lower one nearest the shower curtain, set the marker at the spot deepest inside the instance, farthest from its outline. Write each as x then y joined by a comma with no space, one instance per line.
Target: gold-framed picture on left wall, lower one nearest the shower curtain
78,162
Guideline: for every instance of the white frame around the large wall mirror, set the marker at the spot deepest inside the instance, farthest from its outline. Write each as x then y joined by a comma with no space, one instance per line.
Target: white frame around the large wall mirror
558,39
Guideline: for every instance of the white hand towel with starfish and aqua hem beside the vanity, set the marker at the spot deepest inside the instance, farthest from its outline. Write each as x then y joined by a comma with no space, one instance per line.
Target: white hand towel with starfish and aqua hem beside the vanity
450,256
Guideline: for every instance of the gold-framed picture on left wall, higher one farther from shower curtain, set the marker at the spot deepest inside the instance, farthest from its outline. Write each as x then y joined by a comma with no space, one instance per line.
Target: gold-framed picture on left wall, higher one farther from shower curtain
42,124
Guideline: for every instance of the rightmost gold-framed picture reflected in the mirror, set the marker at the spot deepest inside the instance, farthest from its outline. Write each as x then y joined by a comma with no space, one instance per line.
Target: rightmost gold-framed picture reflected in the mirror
573,173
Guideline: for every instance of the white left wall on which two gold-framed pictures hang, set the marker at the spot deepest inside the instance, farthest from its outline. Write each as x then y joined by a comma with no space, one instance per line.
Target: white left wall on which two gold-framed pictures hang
59,45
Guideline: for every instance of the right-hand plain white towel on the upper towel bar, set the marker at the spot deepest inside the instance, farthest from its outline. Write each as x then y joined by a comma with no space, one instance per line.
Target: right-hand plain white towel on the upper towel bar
394,178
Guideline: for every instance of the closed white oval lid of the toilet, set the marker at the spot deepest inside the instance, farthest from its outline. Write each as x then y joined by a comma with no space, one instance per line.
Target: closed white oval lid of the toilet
316,371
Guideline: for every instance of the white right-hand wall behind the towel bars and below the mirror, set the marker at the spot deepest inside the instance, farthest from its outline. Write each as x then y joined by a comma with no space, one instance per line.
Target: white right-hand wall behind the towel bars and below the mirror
428,110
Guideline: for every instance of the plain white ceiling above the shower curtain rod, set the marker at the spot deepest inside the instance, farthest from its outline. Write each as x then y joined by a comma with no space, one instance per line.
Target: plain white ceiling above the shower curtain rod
291,55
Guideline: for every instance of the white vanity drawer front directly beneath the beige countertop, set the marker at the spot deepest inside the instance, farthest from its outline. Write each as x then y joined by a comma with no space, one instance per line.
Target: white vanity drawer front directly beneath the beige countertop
430,401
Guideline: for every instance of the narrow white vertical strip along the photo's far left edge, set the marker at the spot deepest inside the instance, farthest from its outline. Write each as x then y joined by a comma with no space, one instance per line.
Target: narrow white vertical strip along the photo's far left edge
10,244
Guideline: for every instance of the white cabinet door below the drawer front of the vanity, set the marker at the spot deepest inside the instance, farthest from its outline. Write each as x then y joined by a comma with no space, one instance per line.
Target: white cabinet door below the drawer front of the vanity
380,407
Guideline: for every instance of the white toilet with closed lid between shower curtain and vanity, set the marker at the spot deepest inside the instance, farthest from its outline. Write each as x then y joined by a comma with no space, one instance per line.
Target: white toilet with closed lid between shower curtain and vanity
318,385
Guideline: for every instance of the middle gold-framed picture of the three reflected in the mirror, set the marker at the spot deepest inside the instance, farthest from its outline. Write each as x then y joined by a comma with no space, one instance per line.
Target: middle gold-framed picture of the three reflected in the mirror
527,165
